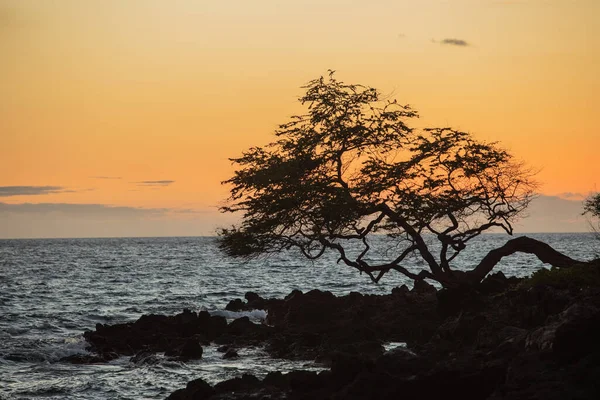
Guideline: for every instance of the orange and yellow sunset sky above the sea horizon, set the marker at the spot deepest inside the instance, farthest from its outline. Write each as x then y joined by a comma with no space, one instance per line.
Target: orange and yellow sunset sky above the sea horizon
117,118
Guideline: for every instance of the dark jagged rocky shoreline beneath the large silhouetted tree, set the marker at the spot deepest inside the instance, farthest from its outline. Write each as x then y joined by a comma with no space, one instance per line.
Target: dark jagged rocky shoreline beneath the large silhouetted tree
506,339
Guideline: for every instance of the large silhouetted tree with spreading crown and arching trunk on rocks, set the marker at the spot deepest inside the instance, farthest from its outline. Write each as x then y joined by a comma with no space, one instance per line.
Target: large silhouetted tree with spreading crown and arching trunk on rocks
352,168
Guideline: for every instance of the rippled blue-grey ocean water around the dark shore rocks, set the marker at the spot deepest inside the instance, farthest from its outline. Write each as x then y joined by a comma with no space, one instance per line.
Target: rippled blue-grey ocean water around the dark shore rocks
51,291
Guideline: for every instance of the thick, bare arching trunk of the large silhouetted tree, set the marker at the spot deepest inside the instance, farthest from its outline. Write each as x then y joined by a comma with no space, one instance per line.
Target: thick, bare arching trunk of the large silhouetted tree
521,244
